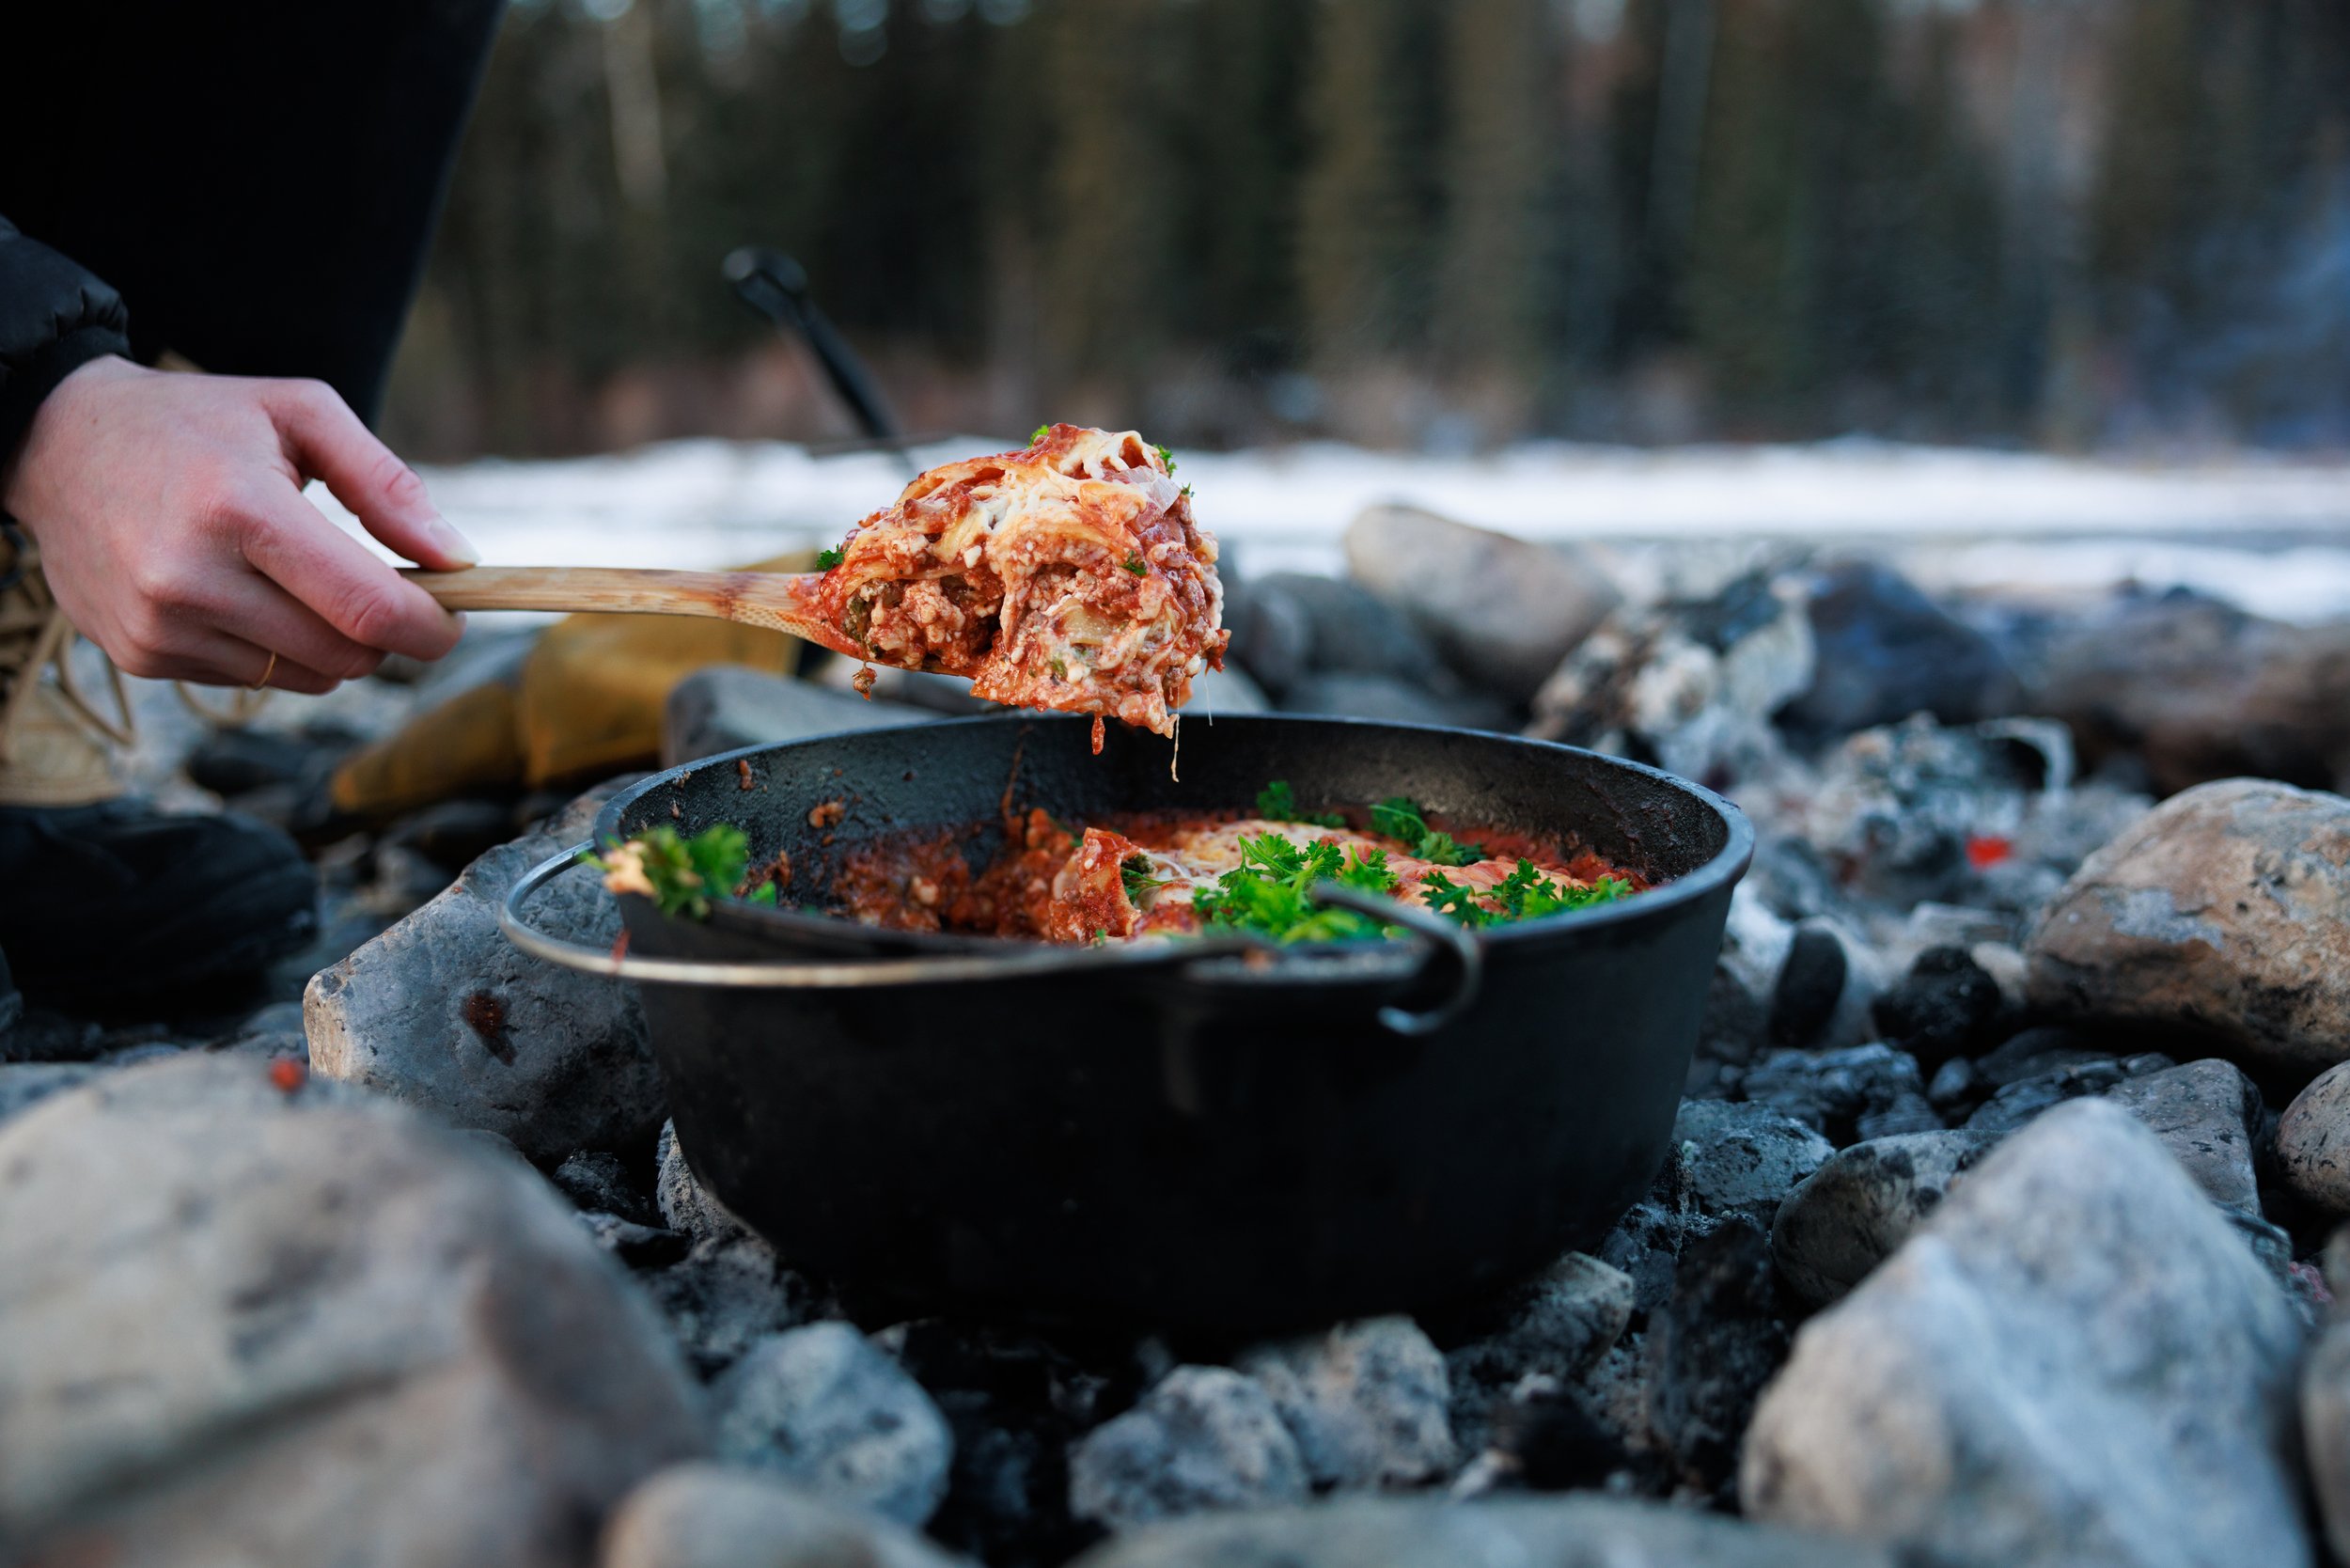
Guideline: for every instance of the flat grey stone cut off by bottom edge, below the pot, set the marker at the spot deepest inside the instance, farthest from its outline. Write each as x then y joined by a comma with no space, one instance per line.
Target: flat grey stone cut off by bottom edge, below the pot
1505,1532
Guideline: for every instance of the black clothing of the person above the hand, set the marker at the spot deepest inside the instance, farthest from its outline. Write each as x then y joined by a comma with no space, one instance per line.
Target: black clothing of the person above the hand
250,187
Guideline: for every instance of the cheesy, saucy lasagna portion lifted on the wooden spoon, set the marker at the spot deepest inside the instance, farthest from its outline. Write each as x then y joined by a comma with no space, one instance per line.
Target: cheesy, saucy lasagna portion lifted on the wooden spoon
1068,575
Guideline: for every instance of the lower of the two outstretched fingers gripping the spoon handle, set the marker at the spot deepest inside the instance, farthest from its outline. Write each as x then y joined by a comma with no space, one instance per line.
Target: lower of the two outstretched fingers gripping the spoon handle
349,589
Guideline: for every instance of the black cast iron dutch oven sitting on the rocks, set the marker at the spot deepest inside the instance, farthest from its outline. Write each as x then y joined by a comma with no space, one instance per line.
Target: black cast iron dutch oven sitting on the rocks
1197,1134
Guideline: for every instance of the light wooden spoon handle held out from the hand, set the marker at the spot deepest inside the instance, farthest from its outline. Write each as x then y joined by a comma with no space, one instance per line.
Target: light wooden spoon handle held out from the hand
777,601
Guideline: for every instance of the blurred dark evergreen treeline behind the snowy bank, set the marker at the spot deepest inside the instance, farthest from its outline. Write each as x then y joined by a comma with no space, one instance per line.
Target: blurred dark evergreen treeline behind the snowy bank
1409,222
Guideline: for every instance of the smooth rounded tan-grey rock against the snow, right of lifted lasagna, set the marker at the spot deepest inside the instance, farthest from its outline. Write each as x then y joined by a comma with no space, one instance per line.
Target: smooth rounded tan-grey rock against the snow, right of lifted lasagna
1500,610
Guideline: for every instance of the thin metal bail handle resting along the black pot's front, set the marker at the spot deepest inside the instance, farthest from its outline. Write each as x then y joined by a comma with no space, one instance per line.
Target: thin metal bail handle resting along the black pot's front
1437,944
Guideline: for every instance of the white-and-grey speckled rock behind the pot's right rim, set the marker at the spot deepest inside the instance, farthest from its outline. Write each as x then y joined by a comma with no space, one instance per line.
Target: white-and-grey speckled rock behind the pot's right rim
1686,685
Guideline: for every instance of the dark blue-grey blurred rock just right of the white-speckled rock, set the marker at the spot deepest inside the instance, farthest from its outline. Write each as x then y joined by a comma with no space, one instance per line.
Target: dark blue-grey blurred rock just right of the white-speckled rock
1888,652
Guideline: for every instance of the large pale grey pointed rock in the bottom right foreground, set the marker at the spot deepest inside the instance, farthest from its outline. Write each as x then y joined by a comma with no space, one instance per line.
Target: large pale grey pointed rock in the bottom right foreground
2074,1360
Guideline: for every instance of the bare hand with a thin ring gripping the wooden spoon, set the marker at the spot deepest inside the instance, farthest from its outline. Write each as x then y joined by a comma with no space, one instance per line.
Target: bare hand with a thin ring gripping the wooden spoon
175,532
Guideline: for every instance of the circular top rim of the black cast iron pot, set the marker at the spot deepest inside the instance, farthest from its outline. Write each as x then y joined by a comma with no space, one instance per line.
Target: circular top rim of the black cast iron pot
1724,869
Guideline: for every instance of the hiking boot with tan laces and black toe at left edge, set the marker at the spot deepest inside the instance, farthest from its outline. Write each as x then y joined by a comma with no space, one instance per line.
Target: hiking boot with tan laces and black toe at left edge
114,904
